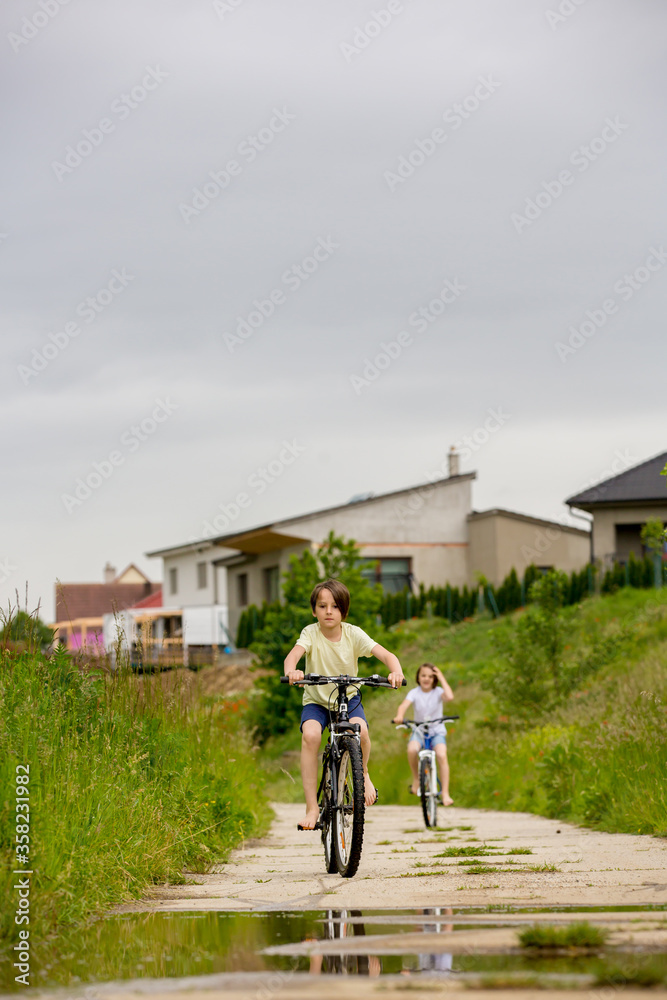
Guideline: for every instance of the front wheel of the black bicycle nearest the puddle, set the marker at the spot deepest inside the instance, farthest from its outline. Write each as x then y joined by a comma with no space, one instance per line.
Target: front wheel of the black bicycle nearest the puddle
349,807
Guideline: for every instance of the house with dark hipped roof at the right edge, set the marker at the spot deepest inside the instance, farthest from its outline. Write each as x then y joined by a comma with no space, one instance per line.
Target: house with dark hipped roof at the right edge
621,506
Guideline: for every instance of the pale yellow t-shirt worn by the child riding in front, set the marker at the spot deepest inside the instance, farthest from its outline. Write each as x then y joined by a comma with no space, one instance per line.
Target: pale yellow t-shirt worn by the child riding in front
332,658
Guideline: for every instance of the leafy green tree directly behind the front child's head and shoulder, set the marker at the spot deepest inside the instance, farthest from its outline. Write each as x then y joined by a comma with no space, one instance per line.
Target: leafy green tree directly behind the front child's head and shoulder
278,707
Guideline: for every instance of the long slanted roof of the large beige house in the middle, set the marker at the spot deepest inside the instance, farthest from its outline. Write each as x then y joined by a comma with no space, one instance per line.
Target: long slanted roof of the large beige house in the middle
263,533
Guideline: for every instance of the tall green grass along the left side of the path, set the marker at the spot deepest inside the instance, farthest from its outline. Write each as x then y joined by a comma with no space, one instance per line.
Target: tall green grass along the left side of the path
128,786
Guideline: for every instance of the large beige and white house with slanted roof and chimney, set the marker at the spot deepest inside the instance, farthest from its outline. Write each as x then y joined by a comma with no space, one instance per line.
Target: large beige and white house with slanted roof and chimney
424,534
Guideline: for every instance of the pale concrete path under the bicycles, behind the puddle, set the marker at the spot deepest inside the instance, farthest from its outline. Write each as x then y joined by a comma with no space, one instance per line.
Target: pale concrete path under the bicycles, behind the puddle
400,867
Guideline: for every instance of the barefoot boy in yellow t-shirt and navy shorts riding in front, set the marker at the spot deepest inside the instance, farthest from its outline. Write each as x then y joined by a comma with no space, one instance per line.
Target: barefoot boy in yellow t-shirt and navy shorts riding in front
332,646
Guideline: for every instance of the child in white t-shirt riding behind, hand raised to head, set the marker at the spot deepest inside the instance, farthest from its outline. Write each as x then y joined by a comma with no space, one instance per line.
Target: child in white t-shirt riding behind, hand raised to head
427,698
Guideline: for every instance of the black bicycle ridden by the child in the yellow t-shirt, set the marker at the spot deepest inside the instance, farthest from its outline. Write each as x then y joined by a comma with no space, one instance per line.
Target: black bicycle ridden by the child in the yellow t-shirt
341,796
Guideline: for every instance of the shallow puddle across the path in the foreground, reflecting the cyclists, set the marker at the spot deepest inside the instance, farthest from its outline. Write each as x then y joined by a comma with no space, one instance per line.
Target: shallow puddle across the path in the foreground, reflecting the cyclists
468,943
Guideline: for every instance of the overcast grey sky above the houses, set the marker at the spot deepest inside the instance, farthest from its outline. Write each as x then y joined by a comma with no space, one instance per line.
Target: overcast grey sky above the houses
498,166
